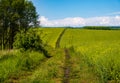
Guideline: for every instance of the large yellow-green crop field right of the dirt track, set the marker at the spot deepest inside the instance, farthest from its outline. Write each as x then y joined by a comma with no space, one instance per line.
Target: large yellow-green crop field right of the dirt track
100,49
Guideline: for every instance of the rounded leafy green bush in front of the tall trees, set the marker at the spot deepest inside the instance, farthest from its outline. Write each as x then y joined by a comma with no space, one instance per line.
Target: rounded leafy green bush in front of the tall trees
29,41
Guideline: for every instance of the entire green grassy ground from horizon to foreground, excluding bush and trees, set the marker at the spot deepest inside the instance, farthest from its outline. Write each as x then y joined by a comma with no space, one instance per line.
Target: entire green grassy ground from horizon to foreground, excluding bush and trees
94,57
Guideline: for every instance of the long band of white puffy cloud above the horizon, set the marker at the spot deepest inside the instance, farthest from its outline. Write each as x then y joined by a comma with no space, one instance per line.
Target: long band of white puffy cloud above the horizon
79,21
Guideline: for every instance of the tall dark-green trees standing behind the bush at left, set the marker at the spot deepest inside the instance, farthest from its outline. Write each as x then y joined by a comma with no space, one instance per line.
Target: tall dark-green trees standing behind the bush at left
15,15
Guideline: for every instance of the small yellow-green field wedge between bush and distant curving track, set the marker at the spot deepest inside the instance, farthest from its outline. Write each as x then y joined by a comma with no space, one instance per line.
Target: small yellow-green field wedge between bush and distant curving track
49,36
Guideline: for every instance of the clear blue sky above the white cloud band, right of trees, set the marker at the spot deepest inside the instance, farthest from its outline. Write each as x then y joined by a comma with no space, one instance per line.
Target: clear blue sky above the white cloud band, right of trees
52,10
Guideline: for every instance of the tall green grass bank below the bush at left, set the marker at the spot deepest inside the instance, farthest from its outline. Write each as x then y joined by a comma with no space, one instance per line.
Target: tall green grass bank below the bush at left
12,63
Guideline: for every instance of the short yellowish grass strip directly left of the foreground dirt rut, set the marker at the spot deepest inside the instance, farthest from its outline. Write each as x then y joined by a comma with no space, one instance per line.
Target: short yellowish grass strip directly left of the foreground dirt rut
50,71
